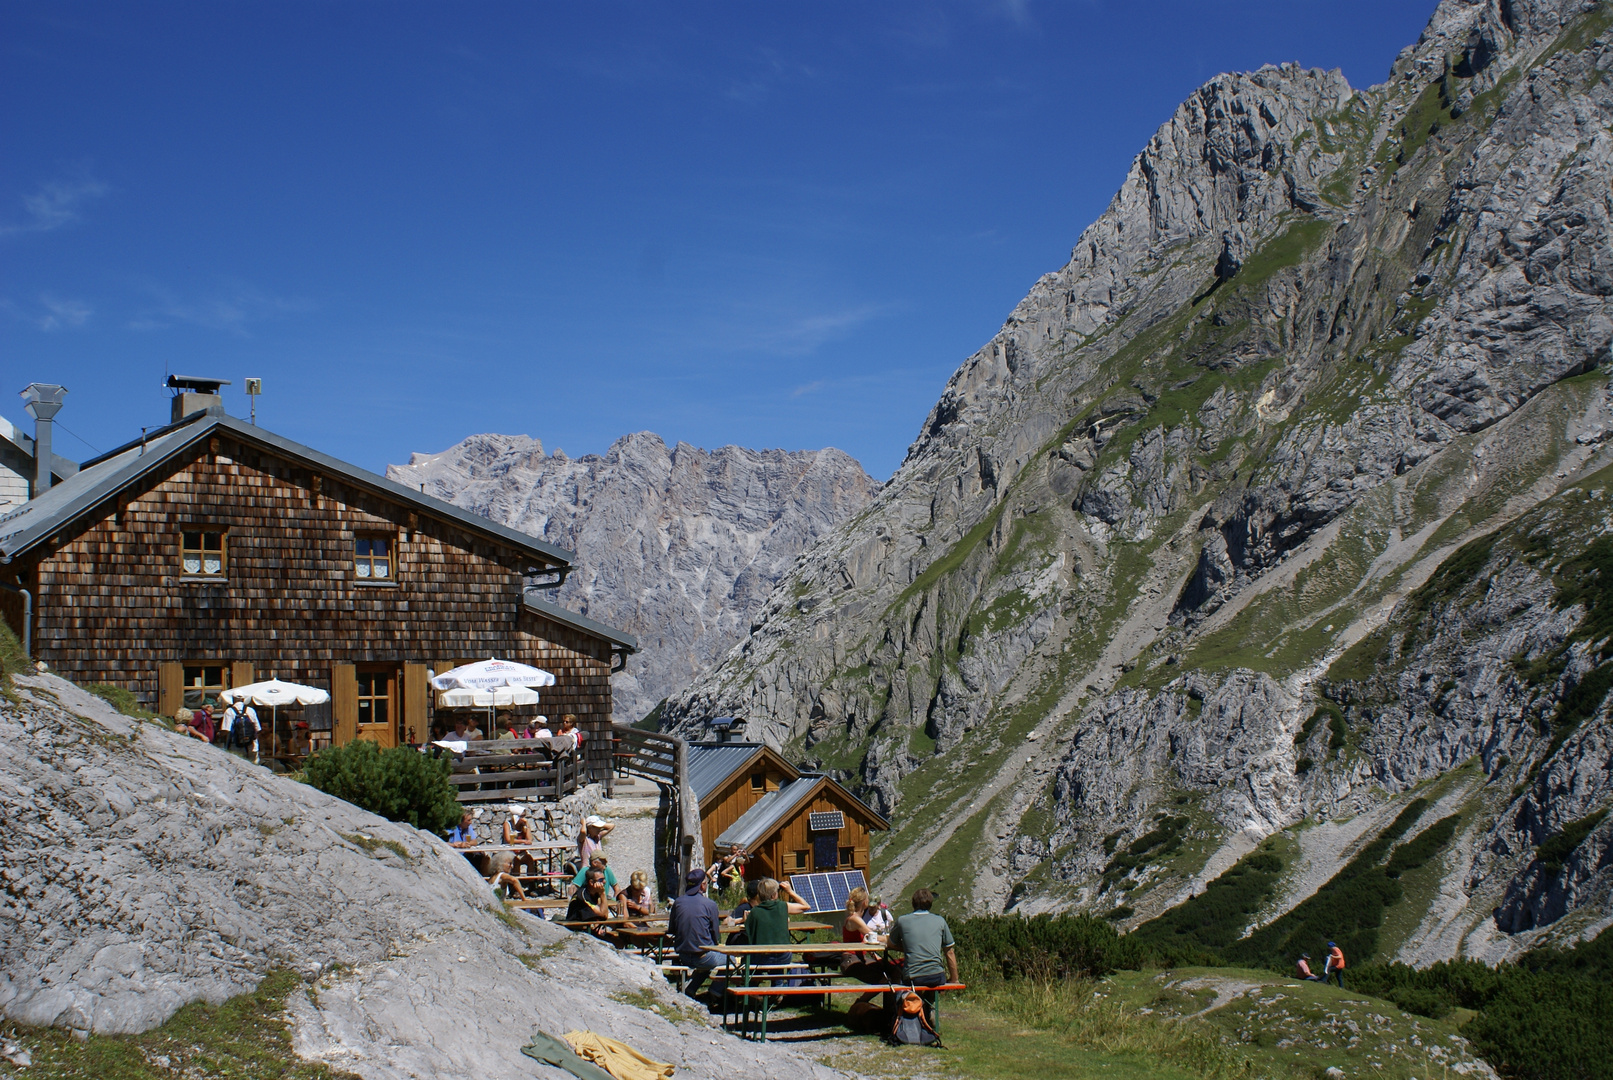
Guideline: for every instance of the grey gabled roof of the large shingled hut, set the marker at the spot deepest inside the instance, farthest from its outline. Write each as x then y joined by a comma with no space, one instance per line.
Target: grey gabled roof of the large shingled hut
102,478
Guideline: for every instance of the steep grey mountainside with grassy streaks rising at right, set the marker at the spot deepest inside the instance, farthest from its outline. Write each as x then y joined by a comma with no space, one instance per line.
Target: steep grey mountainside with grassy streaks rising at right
1320,339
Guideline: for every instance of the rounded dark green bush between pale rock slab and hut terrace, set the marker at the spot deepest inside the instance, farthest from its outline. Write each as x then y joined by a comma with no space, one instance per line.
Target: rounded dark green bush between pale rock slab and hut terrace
399,784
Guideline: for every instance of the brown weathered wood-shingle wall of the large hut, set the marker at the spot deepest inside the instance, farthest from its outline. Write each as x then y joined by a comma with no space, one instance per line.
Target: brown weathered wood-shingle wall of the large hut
112,604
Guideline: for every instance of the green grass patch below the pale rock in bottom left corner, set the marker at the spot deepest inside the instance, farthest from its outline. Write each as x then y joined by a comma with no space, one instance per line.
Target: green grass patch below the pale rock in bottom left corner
244,1039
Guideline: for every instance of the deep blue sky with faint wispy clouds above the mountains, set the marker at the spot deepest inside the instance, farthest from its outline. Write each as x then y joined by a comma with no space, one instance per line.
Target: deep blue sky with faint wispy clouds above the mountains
728,223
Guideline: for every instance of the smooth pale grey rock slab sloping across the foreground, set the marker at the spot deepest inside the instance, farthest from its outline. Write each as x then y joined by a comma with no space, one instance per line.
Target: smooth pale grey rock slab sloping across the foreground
144,871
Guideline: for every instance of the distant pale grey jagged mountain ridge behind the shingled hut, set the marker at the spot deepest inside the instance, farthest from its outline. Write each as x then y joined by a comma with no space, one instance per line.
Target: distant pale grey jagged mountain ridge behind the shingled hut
678,547
